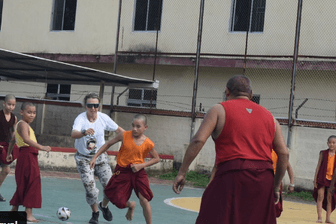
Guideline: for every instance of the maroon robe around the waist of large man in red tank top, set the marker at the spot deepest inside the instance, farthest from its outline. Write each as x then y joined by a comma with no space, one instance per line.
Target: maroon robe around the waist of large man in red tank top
241,192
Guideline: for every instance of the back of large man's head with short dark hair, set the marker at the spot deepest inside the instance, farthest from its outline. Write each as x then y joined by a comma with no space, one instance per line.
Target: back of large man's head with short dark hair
239,85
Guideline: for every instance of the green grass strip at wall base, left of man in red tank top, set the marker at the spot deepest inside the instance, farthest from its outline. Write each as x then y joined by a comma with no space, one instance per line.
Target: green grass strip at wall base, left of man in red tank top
197,179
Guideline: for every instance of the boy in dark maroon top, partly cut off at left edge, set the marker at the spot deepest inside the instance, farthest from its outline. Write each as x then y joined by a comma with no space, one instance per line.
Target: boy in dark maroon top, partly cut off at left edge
7,124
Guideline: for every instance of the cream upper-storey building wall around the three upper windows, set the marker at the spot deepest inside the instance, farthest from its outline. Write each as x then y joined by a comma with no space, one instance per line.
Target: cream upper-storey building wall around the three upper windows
96,26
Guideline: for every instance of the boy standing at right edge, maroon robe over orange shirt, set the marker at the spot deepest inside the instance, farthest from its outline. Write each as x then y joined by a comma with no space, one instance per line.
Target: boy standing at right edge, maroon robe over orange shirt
322,181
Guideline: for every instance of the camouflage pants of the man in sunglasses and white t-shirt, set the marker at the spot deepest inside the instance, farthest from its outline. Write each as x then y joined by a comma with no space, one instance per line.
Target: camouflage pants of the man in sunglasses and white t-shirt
102,170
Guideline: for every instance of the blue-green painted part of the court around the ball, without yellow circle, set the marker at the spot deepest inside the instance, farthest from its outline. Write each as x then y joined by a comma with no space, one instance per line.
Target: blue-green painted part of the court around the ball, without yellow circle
58,192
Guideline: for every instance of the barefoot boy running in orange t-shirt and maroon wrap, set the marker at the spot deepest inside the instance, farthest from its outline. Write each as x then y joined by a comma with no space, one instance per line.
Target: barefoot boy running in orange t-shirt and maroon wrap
129,172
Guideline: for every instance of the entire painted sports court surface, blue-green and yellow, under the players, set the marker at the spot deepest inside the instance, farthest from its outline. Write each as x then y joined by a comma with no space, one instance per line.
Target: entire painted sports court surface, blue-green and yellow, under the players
167,207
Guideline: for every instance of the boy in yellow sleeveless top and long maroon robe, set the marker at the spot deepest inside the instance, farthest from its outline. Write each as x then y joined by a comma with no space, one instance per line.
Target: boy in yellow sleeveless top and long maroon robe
27,172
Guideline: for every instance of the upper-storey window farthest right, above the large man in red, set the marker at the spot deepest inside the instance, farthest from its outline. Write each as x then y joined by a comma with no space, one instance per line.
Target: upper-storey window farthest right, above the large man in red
241,10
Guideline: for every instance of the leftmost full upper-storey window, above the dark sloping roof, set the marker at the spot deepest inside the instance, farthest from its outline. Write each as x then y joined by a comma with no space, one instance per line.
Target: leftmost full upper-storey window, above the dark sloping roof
64,14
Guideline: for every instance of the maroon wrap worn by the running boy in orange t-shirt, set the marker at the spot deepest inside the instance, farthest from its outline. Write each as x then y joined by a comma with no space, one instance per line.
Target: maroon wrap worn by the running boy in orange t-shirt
119,188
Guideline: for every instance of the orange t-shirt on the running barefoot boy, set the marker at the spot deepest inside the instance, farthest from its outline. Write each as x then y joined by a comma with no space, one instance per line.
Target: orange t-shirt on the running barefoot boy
130,153
